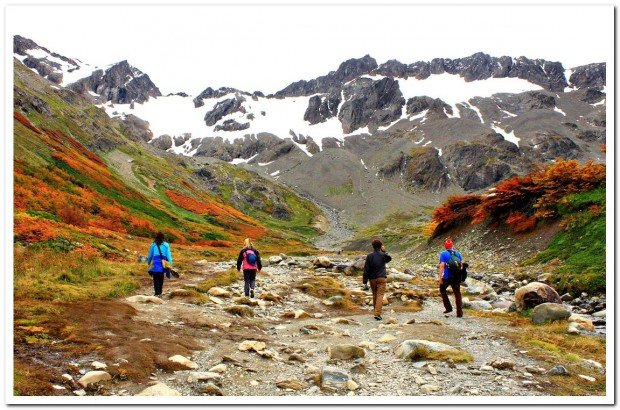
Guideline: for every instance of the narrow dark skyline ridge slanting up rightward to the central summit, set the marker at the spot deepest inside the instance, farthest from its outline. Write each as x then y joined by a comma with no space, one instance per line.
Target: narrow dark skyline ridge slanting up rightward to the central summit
347,71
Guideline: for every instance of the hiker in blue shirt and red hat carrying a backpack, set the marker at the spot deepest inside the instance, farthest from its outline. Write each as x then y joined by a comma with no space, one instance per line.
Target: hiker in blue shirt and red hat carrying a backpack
450,265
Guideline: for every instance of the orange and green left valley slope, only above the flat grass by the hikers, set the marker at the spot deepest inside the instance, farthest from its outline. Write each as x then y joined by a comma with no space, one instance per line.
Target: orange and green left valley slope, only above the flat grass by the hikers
79,174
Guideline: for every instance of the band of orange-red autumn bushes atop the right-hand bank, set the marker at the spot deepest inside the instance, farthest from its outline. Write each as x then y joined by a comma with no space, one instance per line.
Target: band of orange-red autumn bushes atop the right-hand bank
523,201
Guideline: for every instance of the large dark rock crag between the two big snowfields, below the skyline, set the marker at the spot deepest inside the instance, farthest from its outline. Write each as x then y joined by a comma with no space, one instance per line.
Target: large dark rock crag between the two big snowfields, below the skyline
369,102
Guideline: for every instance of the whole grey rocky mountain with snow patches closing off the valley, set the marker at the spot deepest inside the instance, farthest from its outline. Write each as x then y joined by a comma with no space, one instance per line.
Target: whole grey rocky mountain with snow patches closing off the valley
448,125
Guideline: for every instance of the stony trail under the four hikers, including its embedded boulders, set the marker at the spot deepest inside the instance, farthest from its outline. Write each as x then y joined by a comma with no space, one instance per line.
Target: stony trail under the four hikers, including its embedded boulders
289,342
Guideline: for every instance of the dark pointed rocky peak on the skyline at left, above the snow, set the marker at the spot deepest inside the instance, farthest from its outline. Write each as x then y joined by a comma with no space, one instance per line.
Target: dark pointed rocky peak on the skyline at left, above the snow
119,84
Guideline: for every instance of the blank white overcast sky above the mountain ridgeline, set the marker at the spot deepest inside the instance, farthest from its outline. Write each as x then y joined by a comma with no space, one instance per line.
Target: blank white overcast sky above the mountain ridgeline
267,47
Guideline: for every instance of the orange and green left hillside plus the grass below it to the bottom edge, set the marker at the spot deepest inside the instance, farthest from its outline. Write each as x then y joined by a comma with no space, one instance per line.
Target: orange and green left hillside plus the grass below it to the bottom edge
89,197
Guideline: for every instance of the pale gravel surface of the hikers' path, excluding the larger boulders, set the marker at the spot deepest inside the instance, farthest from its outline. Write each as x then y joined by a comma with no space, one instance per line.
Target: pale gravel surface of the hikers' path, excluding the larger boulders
299,346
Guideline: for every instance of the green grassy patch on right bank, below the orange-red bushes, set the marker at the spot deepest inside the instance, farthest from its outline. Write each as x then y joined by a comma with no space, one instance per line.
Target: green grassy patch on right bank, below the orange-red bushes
580,246
